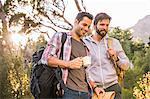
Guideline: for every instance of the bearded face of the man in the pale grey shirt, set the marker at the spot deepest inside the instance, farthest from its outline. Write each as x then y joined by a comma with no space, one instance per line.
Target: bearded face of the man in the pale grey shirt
102,27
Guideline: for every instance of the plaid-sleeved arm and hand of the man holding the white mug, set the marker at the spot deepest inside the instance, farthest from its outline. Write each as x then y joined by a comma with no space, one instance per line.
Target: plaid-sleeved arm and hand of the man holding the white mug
50,55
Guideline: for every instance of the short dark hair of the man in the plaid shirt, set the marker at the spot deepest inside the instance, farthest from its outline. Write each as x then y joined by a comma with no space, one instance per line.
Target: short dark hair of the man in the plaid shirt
80,16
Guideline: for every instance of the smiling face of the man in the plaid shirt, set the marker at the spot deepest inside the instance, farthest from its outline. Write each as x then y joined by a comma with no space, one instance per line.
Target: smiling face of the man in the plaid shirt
83,26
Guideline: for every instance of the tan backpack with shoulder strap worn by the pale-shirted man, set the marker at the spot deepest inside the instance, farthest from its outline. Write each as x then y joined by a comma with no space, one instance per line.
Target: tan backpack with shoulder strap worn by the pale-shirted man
119,71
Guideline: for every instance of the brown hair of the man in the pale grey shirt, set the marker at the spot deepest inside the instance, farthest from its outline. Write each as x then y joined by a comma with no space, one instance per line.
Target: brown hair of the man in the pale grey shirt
101,16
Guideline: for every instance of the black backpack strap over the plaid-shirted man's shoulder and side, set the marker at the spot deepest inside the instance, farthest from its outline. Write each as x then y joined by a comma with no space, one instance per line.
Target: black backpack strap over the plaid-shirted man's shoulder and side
58,70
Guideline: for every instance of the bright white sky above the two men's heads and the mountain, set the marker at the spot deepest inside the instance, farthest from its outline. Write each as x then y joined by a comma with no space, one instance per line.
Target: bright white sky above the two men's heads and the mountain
124,13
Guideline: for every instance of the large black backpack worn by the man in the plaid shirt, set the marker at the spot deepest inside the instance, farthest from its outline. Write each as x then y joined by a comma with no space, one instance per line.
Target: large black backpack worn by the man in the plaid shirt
46,81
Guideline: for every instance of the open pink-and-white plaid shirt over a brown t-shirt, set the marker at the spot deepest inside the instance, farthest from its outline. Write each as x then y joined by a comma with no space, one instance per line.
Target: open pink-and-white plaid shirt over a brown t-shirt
53,49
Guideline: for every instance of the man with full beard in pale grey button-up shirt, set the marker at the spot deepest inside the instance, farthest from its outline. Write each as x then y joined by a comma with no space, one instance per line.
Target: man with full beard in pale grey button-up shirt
101,73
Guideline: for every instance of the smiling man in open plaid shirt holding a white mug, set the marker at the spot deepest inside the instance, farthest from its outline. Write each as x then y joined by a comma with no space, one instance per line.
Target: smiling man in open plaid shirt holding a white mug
74,75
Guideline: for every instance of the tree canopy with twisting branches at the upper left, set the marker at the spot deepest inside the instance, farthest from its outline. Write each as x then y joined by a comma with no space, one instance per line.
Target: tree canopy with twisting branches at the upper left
42,14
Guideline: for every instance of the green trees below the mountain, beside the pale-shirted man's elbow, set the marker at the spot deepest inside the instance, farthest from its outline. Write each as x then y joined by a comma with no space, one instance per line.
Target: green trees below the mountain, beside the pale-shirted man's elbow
138,53
